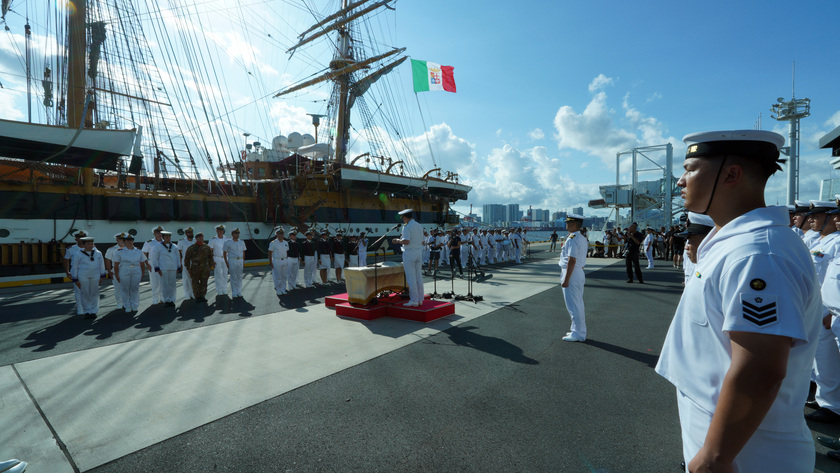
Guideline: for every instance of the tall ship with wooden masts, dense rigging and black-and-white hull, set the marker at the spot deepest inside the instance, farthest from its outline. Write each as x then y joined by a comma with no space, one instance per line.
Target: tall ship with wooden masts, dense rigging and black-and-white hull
113,149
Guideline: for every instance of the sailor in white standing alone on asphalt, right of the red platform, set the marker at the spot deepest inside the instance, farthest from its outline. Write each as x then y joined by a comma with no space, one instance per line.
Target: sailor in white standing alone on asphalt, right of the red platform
572,261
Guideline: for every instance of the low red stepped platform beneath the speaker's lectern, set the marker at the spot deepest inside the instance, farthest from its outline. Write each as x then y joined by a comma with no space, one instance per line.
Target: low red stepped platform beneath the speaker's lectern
392,306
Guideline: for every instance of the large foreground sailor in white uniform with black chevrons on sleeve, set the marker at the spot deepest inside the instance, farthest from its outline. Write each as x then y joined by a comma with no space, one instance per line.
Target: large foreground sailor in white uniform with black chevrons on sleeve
742,341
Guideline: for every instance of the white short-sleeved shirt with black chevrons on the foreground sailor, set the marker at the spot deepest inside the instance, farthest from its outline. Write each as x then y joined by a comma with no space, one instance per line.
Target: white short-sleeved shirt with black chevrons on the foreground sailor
752,275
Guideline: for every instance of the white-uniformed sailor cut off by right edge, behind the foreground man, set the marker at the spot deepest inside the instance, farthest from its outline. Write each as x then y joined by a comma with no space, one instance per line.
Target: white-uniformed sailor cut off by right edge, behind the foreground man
823,217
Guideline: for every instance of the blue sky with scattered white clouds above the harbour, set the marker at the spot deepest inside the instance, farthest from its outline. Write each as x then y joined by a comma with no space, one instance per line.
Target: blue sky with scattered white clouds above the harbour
549,91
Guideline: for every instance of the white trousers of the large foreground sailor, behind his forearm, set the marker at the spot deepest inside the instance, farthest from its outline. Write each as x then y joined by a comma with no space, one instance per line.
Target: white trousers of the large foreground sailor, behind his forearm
765,452
